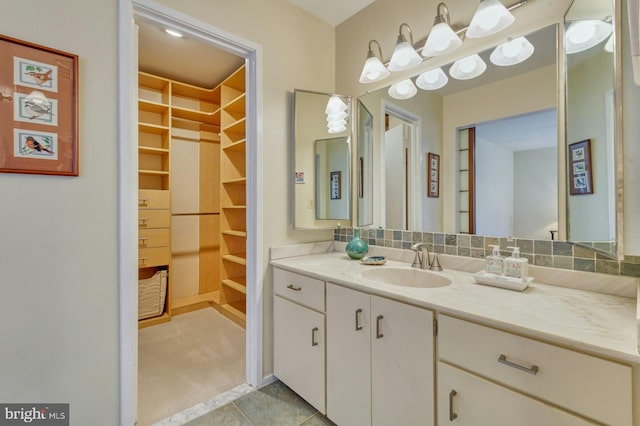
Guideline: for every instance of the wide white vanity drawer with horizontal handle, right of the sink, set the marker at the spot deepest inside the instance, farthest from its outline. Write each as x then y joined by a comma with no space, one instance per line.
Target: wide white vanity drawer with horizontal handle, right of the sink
590,386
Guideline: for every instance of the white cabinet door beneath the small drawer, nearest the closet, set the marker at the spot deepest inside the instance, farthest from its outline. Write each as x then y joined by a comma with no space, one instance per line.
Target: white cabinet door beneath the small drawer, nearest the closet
299,350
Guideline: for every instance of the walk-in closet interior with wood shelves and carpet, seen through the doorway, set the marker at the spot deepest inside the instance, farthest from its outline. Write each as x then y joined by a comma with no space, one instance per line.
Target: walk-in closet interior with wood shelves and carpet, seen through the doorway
192,222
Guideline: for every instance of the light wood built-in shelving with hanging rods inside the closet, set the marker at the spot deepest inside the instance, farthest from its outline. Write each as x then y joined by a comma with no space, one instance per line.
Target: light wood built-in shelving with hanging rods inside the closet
178,123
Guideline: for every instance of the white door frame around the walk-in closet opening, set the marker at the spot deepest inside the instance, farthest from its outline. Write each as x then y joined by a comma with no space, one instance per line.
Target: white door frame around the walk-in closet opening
128,12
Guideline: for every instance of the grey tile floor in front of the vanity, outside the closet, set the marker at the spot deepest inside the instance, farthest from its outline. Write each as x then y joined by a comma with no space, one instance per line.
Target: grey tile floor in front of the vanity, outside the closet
272,405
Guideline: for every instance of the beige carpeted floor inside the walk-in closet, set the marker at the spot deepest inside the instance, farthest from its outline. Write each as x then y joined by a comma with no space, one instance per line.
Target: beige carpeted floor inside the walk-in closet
182,363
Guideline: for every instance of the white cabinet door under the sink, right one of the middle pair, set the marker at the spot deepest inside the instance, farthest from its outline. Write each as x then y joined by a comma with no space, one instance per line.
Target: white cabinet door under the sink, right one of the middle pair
402,364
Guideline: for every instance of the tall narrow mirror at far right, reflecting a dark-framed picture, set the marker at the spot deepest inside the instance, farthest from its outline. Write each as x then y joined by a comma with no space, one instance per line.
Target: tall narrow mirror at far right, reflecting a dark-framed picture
593,152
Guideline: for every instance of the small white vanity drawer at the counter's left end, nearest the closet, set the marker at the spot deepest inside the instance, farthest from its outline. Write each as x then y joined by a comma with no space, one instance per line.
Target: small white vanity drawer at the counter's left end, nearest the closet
299,288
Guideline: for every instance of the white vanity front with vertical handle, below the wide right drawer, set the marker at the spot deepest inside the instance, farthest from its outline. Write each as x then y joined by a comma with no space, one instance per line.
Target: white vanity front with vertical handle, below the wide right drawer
465,399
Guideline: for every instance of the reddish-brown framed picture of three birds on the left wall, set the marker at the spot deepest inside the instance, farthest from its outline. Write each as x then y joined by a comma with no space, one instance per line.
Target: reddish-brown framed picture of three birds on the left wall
38,109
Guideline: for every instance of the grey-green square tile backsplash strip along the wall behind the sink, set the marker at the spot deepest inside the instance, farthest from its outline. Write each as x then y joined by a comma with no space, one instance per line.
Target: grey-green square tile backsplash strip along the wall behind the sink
555,254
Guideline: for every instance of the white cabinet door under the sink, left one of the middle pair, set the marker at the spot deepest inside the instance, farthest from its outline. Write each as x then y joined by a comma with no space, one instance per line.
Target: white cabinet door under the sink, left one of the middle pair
348,356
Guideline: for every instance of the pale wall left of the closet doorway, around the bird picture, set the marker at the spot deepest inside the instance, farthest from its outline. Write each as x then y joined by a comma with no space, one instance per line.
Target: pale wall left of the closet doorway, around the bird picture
58,256
